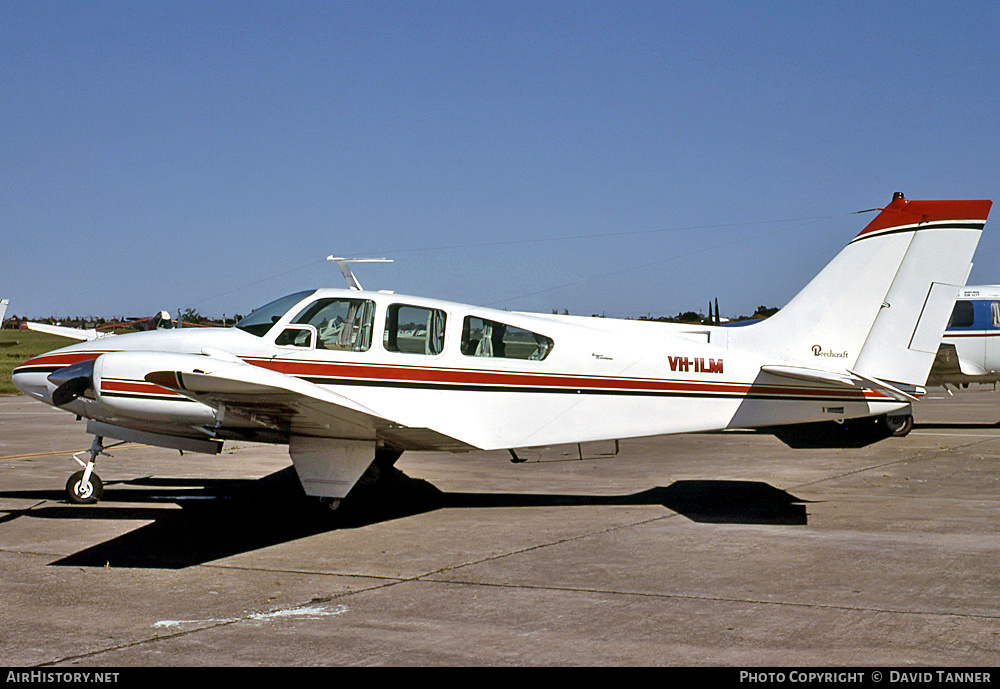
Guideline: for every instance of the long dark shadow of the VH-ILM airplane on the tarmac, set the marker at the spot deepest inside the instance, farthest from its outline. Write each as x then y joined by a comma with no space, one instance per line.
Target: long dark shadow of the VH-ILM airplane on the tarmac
220,518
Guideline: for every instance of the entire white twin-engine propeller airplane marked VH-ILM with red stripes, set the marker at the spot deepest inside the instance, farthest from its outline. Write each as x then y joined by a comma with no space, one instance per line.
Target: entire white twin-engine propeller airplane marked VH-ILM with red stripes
351,378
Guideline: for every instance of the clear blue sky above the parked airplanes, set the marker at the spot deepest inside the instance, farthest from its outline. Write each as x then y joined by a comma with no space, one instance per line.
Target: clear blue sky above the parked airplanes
620,158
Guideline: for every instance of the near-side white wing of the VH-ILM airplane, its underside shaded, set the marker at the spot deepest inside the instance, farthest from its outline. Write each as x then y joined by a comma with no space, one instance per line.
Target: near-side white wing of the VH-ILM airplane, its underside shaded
250,396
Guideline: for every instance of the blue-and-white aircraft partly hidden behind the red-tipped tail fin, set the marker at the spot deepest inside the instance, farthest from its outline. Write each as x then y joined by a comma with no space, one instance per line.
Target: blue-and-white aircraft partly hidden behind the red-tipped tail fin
970,348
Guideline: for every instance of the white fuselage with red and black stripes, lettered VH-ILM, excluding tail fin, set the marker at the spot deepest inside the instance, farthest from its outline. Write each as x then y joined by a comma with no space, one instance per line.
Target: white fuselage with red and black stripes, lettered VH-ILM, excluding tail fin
599,379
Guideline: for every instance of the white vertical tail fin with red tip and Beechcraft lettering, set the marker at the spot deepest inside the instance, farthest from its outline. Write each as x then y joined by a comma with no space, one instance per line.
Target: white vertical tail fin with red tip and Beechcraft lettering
881,306
